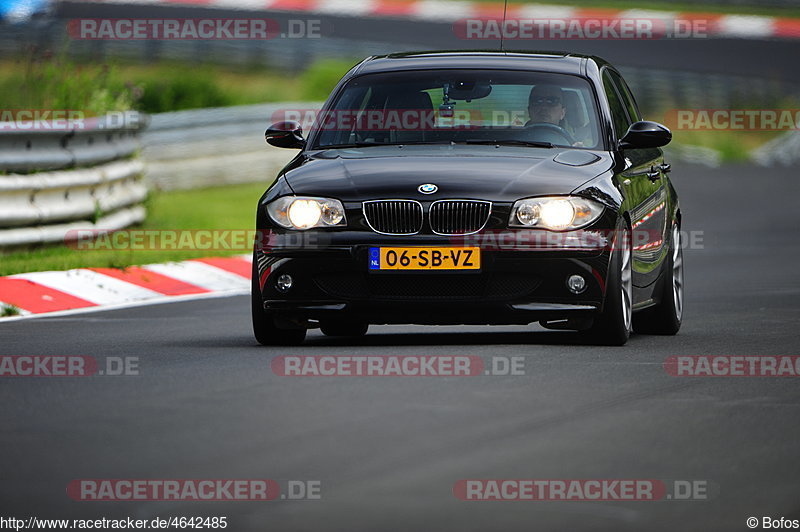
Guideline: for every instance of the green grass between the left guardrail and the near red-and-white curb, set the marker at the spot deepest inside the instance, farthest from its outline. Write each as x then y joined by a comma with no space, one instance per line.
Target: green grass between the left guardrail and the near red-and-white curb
223,208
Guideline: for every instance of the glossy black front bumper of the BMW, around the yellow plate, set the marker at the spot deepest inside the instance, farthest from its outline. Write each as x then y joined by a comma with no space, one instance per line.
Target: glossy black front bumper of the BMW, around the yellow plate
517,283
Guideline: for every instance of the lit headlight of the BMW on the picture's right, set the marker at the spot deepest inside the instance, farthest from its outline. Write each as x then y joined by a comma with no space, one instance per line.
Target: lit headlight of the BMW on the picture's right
557,213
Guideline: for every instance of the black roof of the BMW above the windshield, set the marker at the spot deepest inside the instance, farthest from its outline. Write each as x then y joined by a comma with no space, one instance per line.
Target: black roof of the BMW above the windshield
558,62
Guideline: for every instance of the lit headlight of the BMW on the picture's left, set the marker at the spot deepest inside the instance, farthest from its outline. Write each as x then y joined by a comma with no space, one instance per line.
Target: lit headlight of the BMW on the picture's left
299,212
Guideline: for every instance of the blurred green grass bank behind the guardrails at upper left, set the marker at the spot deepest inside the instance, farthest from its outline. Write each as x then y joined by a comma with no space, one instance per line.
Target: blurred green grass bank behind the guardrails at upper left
64,83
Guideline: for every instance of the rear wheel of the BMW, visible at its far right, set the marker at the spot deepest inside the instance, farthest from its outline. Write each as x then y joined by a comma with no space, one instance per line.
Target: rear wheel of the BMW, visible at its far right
665,317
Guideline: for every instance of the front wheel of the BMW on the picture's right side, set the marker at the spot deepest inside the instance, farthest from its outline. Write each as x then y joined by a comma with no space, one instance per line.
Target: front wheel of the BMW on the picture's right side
613,326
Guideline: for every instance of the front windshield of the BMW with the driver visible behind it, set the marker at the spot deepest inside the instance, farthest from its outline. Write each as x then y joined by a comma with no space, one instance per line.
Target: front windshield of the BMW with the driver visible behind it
461,106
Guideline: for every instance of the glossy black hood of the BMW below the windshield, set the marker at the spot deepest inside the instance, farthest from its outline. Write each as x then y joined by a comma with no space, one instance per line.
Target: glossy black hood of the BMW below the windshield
500,174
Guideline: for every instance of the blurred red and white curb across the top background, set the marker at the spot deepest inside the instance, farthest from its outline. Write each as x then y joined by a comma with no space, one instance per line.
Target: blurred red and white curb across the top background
718,25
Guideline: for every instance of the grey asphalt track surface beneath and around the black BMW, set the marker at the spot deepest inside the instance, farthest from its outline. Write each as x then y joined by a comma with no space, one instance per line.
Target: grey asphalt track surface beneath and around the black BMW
388,450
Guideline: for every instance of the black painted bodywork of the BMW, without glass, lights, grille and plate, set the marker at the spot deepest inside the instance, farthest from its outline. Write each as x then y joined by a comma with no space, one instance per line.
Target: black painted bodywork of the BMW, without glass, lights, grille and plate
523,271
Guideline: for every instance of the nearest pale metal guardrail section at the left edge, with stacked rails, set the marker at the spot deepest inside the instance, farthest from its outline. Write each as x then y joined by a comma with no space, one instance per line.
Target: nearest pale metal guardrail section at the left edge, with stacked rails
53,181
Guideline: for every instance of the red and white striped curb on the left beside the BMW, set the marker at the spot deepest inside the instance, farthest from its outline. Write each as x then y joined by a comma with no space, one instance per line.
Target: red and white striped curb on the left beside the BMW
88,289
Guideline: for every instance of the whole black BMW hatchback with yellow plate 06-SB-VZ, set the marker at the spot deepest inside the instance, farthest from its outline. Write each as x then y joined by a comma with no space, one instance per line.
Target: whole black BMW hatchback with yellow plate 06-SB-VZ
471,188
